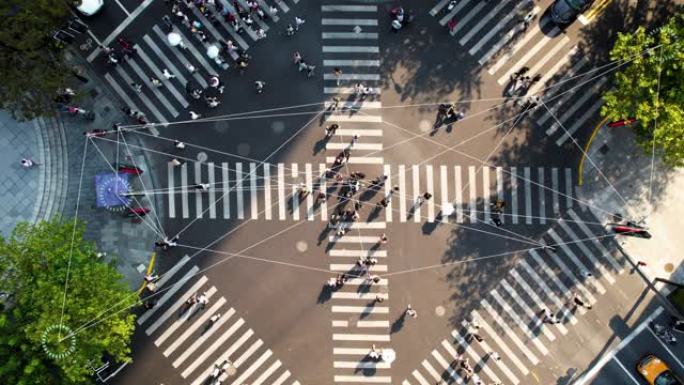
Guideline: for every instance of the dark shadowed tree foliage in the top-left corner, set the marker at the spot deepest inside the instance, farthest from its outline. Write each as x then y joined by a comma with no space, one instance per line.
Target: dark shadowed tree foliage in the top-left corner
31,65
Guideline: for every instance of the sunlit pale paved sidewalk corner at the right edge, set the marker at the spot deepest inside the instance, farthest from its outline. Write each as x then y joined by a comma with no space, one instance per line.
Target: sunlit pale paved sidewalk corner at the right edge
628,169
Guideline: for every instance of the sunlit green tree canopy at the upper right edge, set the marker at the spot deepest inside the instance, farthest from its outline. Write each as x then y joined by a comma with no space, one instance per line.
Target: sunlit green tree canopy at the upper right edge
650,87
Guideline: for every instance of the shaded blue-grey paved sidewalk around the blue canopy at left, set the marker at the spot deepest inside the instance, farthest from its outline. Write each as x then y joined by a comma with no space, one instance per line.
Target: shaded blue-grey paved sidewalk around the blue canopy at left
51,188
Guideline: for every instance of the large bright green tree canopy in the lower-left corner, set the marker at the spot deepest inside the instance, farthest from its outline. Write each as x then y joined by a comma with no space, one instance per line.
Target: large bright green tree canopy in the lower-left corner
34,263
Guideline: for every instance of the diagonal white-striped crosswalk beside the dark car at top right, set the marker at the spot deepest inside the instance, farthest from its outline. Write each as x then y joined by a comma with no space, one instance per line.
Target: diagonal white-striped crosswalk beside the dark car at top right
494,33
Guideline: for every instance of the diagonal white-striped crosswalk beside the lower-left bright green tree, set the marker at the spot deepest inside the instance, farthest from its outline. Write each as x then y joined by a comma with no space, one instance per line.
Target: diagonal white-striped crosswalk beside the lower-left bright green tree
194,344
